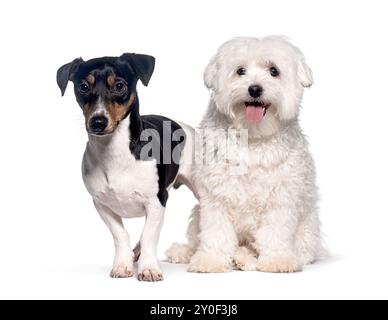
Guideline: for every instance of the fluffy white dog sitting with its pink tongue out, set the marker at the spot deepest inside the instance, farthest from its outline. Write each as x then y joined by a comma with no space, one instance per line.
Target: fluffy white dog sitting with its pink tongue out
263,216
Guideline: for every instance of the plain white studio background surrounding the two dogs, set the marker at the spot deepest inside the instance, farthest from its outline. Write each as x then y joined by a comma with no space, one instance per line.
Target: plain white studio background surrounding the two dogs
52,242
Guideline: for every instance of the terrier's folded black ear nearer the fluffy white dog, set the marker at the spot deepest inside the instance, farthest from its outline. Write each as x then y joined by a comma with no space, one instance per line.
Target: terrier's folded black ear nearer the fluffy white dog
143,65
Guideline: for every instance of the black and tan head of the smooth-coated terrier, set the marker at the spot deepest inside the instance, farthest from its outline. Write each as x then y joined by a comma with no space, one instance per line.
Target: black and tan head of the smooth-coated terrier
105,88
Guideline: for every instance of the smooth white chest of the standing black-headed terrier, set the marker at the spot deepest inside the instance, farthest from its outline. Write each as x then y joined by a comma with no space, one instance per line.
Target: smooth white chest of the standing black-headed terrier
115,179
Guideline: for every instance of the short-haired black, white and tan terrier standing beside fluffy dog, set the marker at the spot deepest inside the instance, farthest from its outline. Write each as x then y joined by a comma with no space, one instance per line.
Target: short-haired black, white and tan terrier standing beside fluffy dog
122,182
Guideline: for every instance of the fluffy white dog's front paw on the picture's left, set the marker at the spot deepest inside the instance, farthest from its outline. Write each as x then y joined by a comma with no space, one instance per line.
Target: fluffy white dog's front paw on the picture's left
203,262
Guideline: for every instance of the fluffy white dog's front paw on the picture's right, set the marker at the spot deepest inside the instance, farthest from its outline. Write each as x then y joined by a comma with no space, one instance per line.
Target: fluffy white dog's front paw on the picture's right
279,264
